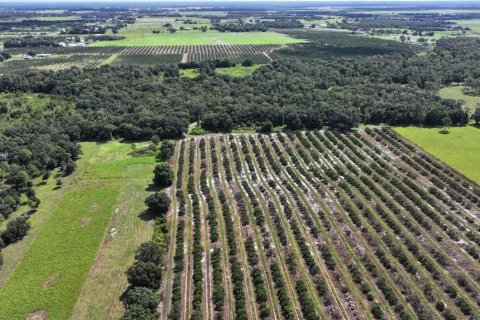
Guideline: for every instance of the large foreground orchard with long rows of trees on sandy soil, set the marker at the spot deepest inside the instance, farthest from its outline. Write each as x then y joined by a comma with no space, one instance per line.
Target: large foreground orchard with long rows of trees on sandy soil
318,225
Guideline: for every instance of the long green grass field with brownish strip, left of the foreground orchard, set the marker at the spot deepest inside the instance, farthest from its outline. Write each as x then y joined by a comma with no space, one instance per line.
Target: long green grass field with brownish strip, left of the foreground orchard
64,240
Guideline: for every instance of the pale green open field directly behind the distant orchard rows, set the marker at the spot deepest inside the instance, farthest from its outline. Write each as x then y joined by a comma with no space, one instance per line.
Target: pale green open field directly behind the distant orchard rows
145,37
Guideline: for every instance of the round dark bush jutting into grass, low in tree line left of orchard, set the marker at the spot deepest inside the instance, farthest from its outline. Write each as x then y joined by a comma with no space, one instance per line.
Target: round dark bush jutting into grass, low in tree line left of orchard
144,274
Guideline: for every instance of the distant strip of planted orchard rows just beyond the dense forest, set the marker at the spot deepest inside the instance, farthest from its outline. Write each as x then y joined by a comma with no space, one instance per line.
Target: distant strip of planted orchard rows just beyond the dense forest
65,58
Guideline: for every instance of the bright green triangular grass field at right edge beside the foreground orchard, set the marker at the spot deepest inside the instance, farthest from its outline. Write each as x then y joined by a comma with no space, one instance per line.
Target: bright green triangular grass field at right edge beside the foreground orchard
459,148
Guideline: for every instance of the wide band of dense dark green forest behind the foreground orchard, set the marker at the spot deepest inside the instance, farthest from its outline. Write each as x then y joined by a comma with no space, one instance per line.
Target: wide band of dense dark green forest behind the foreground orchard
303,92
